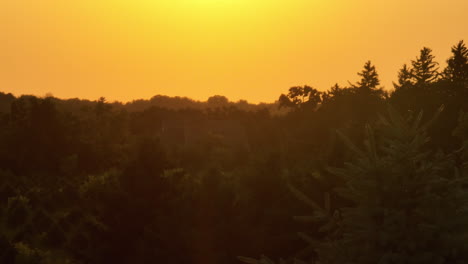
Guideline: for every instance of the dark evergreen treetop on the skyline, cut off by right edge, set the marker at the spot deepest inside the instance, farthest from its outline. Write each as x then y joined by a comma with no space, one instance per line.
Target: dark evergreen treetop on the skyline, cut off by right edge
457,69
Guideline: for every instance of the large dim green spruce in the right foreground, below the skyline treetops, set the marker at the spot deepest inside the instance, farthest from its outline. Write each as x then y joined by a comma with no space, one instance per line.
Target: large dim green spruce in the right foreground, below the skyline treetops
410,205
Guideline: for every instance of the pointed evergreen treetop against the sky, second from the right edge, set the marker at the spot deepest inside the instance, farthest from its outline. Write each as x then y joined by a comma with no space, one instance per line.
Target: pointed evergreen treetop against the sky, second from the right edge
425,69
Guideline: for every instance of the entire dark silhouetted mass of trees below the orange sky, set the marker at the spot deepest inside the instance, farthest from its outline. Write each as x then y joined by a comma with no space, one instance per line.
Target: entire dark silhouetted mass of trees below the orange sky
172,180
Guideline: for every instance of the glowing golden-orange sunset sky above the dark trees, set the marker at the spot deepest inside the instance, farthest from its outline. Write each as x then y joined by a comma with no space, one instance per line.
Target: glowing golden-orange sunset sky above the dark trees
243,49
